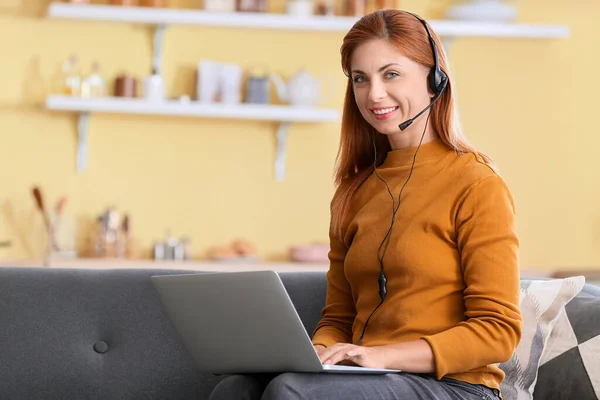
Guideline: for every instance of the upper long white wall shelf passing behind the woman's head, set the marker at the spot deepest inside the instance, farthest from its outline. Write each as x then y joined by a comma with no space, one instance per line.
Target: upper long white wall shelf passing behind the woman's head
154,16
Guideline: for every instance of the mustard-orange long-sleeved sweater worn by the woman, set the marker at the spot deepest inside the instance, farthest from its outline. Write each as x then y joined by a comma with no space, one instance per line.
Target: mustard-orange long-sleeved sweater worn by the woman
451,265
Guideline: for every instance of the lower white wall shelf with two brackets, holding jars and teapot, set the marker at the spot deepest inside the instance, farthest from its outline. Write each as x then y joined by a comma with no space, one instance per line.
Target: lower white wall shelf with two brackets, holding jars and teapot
281,114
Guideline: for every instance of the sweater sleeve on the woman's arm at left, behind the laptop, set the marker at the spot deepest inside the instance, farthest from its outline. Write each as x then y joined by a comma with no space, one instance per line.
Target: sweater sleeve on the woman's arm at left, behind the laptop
339,312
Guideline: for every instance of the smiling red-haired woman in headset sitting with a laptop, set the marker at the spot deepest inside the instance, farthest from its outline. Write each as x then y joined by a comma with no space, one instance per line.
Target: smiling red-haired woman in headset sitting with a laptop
423,270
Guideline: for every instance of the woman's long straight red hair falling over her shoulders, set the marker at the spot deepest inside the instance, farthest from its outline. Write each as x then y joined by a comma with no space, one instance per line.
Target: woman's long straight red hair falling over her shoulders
355,157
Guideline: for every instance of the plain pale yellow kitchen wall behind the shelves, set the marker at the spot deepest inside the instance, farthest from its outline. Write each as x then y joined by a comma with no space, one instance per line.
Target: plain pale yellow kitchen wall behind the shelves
524,102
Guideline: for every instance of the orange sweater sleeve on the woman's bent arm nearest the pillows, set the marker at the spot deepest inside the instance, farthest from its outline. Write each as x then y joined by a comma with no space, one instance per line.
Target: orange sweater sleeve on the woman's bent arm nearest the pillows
488,247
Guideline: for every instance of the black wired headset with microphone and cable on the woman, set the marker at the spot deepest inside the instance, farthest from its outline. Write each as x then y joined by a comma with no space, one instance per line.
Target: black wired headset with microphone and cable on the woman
437,81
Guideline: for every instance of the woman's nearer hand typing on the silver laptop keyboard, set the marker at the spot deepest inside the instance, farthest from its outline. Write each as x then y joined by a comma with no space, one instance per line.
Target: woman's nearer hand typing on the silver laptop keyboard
350,354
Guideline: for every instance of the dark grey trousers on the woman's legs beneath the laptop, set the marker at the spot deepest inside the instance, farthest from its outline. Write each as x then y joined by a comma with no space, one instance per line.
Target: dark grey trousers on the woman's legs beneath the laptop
402,386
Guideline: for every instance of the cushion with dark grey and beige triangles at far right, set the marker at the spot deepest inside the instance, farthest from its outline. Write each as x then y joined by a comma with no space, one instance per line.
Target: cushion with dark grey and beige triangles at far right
573,353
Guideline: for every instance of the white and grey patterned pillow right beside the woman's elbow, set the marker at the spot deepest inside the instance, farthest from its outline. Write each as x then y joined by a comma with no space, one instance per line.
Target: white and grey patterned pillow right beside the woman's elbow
541,303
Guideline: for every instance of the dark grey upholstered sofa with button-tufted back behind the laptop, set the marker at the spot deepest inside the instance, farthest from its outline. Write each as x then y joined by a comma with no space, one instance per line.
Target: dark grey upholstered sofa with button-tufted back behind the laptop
103,334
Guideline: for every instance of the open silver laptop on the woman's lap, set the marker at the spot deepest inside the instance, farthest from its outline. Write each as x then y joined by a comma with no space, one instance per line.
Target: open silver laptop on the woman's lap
242,322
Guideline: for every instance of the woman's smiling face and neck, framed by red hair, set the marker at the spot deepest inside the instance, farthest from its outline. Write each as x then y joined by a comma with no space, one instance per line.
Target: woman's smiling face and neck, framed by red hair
390,88
